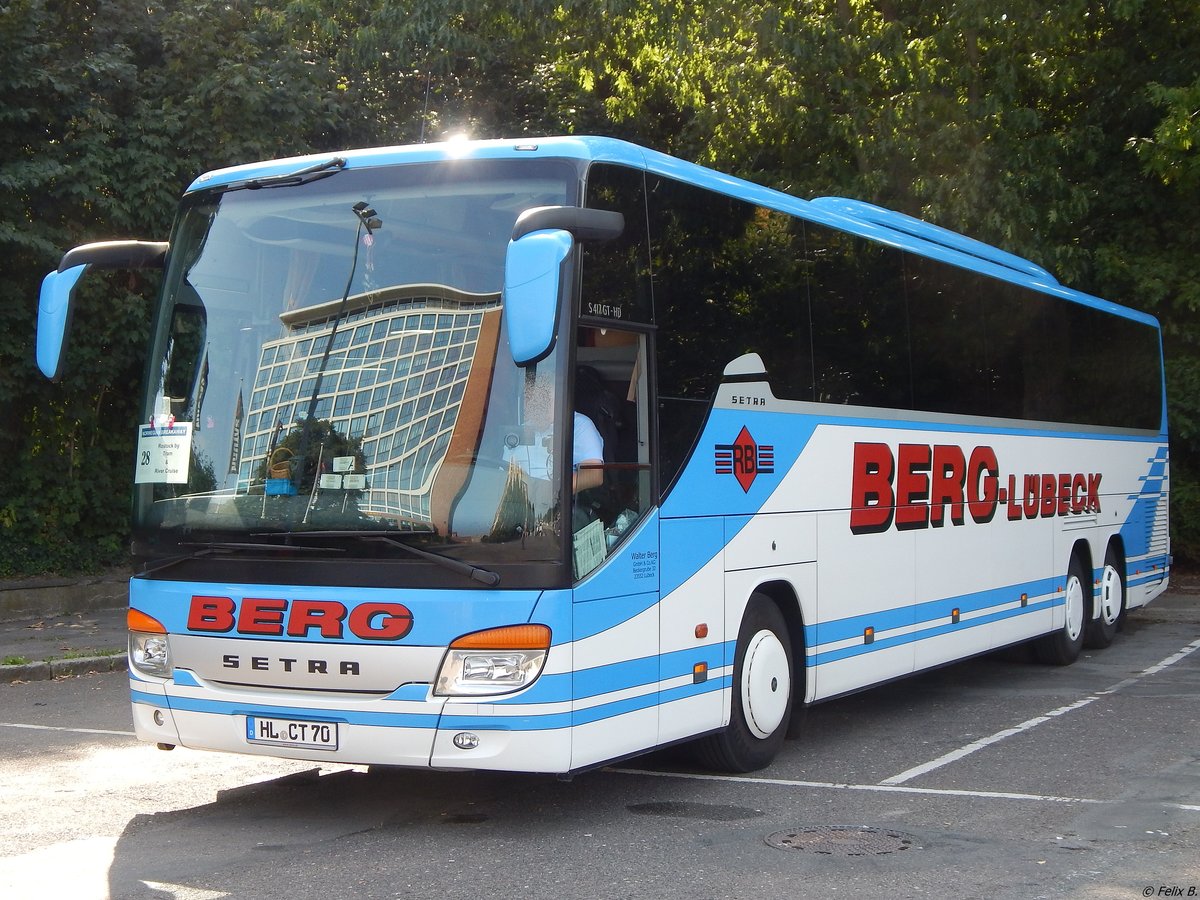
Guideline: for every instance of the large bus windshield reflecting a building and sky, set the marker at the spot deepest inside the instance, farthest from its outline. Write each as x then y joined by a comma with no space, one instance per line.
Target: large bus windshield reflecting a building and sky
328,359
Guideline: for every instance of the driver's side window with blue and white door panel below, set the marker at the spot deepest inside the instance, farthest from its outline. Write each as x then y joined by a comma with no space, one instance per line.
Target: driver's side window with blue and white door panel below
615,550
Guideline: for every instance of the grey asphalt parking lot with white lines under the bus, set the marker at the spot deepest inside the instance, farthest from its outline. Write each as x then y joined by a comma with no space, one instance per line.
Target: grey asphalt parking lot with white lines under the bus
994,778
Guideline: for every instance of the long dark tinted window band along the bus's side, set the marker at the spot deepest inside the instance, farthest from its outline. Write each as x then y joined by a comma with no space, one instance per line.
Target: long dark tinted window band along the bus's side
842,320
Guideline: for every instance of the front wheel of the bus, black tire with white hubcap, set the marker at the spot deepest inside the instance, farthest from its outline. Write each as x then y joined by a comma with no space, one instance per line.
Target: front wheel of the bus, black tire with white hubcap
763,694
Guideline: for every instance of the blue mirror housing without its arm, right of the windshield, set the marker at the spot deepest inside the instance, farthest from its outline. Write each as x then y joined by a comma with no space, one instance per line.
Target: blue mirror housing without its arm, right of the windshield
533,291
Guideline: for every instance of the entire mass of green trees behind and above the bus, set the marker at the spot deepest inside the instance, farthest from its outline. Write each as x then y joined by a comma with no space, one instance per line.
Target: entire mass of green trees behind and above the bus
1064,133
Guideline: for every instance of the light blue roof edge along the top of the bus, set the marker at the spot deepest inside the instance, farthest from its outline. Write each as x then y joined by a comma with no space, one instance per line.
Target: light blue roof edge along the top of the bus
857,218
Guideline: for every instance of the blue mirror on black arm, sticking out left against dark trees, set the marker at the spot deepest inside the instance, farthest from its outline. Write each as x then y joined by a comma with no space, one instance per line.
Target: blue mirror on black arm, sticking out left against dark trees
58,292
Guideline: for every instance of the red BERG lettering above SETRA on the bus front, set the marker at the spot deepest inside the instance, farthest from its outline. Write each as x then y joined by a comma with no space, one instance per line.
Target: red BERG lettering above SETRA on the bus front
273,617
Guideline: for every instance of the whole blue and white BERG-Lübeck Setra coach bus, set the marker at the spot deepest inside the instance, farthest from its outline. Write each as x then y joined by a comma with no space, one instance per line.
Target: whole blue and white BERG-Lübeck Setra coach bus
533,457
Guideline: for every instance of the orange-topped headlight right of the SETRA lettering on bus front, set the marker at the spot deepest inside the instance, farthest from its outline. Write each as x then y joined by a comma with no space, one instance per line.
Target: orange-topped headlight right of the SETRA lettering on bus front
500,661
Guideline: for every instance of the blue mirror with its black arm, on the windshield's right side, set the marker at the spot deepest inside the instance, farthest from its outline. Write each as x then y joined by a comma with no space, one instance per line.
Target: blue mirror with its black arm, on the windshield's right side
535,271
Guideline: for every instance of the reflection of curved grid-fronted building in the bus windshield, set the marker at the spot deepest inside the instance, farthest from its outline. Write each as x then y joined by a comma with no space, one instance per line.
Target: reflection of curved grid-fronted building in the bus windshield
409,375
